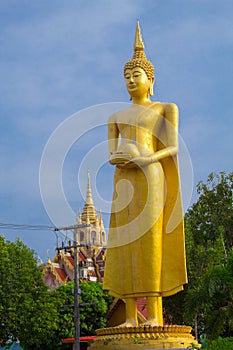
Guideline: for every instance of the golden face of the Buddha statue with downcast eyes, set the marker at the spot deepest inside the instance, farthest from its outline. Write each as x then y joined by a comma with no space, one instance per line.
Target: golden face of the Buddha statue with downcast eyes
137,82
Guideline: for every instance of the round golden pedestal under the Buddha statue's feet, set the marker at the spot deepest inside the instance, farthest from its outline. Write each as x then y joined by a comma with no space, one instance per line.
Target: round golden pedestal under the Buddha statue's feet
144,337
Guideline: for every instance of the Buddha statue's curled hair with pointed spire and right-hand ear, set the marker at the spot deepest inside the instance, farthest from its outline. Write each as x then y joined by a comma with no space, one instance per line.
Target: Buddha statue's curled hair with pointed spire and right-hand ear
139,59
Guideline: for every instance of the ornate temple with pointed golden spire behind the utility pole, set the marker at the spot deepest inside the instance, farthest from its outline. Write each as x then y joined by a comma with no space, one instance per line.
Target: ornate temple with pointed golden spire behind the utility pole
91,257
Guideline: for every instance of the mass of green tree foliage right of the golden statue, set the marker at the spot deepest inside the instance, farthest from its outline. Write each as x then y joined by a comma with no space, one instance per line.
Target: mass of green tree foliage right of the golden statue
207,301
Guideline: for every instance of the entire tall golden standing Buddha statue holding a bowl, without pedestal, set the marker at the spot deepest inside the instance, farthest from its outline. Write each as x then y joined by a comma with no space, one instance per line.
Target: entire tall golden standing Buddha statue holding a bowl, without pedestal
146,254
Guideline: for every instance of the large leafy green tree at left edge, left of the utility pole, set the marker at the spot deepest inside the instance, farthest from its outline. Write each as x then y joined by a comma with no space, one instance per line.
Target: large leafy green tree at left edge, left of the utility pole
28,309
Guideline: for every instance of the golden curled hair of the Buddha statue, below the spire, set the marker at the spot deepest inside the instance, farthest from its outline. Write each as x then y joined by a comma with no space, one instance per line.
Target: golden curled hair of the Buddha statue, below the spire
139,60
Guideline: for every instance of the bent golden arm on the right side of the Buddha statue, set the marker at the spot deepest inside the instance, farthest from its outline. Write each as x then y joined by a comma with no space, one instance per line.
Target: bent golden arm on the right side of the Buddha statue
171,115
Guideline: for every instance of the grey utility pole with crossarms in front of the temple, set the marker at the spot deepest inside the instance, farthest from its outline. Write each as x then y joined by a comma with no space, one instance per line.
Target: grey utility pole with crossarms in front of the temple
76,247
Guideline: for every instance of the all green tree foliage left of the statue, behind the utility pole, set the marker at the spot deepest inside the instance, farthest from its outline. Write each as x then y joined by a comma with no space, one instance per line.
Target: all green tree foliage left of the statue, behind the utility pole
40,318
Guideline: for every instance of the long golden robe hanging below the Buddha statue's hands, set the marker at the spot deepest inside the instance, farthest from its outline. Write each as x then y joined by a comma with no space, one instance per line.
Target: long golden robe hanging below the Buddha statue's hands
146,254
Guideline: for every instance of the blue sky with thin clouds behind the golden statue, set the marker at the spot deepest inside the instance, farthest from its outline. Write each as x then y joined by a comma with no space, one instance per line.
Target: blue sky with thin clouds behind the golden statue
60,57
